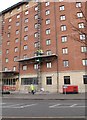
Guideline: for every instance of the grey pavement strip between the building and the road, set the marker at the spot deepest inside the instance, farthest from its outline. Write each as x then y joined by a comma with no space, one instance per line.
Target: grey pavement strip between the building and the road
44,96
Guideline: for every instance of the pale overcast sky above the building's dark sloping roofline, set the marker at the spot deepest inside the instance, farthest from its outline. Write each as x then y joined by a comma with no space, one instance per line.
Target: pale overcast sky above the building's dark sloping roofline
7,3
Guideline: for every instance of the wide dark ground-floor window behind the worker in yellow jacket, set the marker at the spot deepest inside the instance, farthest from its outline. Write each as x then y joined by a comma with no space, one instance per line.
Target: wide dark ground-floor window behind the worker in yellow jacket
29,81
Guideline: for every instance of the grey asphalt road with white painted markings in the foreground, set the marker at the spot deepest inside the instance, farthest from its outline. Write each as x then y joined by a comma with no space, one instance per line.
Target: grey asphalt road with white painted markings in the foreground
43,108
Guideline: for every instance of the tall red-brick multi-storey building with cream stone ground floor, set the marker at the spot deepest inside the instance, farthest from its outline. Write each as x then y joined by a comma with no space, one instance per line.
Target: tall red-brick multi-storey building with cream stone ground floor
38,45
